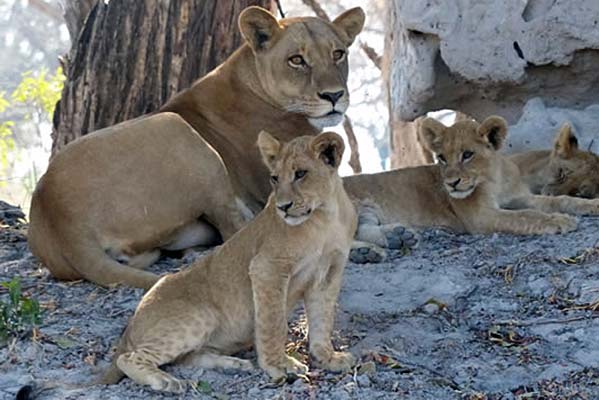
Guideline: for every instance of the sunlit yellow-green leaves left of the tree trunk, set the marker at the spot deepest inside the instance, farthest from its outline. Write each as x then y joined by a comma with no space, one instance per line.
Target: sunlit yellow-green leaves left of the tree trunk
41,90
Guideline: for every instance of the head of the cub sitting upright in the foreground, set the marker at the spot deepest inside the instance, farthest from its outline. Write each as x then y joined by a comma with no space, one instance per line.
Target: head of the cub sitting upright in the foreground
303,173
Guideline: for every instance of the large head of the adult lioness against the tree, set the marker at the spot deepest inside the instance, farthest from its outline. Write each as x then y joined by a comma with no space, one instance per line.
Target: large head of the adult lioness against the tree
302,62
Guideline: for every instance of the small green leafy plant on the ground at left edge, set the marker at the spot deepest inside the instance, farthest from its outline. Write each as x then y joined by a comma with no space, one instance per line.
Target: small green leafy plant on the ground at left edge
18,314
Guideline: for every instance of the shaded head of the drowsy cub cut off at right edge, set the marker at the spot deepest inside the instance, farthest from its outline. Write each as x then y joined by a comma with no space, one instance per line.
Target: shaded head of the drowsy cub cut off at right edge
574,172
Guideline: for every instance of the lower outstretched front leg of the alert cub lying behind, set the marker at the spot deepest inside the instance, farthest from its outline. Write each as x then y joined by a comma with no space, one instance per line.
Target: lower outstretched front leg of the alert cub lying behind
520,222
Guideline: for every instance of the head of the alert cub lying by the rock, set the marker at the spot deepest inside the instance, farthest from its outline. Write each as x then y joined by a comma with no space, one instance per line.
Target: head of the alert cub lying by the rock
465,151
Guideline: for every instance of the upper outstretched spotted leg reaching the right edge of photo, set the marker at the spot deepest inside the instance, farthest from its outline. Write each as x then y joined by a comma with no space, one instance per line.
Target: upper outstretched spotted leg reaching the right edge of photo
552,204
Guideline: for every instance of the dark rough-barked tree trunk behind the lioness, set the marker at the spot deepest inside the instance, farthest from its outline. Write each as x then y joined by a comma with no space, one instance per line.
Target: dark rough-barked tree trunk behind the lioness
130,57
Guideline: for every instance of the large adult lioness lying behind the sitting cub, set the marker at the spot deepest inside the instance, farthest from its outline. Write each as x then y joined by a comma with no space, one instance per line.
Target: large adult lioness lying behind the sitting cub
112,199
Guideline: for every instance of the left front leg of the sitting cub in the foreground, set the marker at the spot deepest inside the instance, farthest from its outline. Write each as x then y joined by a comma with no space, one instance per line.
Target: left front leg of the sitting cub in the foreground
270,283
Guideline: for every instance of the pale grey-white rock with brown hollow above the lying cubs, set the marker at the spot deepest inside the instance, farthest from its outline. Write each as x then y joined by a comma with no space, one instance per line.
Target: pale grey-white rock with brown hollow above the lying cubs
488,56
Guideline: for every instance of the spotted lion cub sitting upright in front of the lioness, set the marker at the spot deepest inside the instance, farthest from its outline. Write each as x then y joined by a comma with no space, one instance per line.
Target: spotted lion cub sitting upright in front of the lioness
241,294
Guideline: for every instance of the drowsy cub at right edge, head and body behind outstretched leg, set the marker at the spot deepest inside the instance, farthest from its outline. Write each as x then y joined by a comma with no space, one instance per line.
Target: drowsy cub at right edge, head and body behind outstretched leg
565,170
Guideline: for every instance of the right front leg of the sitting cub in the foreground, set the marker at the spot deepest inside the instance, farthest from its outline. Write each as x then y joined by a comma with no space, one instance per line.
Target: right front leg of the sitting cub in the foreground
320,300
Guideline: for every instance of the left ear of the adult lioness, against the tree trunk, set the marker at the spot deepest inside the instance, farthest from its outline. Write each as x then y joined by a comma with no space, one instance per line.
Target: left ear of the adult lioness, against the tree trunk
258,27
